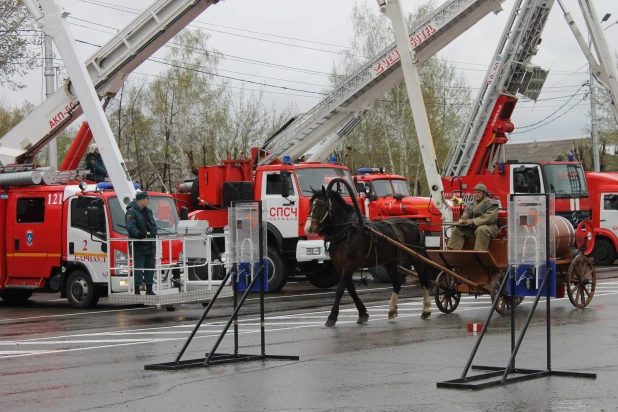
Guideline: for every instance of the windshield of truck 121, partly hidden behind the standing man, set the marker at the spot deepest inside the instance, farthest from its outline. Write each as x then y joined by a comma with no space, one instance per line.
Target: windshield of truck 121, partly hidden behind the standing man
163,210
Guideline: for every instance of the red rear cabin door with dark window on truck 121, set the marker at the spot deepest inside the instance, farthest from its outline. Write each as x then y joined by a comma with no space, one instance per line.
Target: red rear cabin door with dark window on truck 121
27,237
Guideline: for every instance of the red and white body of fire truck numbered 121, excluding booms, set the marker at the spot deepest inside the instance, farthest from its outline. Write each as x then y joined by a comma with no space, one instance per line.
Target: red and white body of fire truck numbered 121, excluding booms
57,240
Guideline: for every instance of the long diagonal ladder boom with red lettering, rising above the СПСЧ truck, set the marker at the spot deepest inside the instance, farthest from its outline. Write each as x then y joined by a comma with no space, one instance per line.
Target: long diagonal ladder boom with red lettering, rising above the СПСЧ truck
337,114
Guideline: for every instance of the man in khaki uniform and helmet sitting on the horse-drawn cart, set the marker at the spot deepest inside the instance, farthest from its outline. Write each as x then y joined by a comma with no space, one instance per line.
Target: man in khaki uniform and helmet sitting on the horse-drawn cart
479,222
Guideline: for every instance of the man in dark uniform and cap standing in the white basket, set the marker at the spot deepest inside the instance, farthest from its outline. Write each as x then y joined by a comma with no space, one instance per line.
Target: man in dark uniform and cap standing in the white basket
141,225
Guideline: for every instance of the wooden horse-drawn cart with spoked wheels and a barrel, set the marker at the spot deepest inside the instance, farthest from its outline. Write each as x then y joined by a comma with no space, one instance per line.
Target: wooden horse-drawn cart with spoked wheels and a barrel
481,272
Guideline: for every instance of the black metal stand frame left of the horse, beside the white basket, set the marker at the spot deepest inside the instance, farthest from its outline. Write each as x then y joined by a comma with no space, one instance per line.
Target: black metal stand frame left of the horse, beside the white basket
213,358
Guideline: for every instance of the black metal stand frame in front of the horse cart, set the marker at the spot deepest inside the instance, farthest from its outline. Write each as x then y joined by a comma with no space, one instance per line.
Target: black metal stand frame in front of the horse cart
472,382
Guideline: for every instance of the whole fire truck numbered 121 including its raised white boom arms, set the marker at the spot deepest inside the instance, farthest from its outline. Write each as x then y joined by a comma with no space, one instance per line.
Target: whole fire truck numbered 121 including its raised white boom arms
57,230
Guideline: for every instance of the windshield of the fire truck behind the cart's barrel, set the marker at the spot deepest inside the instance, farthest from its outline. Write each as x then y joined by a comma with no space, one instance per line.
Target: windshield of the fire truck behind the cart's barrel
566,181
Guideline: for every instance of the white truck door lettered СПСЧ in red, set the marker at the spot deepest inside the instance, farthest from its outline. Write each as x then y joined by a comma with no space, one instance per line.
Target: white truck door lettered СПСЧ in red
281,212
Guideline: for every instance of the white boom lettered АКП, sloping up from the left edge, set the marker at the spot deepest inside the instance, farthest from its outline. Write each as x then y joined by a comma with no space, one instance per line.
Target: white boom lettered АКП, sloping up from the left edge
108,68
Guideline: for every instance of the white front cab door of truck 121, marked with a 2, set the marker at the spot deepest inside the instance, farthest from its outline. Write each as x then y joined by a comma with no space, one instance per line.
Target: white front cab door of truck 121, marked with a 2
83,246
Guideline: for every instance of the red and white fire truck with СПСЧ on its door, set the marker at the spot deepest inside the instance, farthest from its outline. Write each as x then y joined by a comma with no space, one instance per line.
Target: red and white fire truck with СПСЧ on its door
290,250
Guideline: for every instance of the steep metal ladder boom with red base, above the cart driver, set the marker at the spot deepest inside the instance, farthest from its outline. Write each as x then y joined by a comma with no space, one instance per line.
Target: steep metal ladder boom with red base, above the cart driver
510,74
